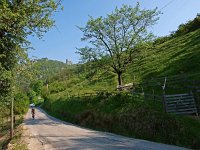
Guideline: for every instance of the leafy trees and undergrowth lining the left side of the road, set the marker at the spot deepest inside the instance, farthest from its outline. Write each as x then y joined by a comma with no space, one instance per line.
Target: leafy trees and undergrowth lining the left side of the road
19,20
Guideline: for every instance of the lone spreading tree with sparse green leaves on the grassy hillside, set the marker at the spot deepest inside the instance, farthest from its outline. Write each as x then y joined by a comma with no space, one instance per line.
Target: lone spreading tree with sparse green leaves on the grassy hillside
116,36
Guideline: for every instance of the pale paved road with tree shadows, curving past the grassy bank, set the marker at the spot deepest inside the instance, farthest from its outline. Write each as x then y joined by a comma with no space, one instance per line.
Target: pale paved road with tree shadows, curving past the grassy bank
55,134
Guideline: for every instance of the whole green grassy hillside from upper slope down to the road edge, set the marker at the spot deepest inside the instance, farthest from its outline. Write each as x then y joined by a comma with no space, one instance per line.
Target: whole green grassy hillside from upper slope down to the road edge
127,114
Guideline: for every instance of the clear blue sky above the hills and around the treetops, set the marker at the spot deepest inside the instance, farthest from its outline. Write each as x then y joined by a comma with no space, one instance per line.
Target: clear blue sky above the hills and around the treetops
61,41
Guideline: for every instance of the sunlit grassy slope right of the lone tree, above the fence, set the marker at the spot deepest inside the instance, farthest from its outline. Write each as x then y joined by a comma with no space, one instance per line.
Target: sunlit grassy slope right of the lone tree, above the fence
180,55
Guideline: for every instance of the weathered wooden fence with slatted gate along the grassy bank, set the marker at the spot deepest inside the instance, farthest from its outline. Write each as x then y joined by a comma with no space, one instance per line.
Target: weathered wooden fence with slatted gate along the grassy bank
178,103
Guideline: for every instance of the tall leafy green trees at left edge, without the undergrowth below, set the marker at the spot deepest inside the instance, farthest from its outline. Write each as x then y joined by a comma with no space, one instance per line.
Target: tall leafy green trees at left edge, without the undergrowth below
18,20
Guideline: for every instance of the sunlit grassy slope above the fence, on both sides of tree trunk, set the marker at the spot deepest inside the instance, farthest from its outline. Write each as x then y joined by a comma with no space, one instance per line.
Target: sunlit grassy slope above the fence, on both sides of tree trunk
178,56
